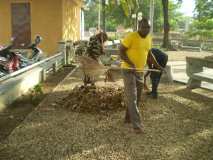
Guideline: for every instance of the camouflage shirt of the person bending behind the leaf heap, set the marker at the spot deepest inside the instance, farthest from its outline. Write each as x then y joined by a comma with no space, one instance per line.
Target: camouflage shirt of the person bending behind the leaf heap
94,48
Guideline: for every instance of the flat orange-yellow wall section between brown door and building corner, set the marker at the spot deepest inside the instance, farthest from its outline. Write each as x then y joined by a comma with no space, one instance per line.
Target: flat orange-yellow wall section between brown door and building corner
47,22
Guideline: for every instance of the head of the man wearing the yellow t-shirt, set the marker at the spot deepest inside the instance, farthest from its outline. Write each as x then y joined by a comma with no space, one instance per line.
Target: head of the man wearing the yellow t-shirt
143,27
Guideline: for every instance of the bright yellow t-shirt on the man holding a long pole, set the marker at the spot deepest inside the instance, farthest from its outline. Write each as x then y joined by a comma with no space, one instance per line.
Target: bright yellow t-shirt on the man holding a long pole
138,49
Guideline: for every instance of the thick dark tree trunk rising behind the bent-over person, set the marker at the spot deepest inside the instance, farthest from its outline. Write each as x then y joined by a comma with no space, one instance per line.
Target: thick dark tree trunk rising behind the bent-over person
166,43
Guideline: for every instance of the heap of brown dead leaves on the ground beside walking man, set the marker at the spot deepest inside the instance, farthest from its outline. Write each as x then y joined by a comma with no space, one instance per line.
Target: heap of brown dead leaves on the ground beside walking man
91,99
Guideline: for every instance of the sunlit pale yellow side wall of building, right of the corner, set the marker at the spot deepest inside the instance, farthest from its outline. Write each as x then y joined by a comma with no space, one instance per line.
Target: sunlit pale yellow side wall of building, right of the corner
71,19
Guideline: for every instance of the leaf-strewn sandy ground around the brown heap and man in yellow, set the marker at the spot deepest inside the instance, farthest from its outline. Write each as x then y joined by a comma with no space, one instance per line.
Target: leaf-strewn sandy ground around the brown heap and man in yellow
178,126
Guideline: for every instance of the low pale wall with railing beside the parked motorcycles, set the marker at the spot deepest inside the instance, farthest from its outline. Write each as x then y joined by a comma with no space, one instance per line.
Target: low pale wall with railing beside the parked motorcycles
15,84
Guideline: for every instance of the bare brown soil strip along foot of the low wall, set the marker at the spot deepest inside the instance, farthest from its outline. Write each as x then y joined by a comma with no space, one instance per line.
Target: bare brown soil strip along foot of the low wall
14,114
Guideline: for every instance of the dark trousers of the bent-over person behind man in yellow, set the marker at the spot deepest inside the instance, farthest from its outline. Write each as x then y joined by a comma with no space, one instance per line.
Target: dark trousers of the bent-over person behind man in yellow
155,80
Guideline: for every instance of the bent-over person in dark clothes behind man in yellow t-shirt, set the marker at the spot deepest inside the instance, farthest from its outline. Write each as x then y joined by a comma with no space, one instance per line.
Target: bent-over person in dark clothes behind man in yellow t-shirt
156,59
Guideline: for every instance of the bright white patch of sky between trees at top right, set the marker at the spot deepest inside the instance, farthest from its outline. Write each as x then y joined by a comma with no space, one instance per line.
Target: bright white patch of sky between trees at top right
187,7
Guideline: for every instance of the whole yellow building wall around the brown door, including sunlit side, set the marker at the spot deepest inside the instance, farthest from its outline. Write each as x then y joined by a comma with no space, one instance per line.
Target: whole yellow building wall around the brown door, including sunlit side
47,20
